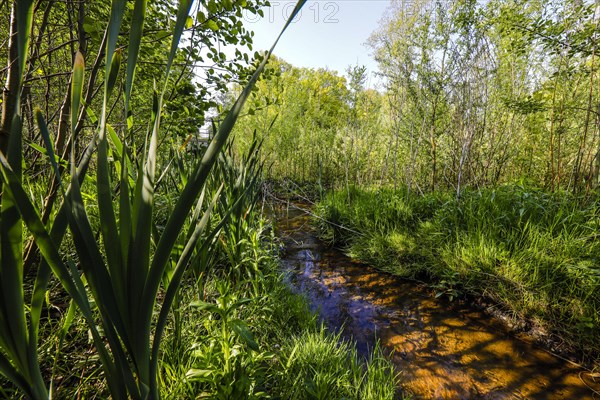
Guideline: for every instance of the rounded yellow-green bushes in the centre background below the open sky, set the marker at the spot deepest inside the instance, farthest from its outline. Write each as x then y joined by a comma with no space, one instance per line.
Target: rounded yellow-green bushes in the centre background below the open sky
301,116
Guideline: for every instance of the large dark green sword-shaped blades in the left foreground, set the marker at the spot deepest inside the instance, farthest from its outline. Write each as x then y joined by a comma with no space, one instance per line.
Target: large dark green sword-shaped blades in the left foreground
114,282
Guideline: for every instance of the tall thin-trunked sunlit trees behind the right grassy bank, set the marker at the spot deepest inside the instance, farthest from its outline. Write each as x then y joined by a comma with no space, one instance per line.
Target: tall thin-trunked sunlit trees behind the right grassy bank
473,81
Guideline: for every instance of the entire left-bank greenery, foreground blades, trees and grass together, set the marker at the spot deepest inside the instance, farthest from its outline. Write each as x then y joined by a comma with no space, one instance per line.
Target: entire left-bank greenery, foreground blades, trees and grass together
148,270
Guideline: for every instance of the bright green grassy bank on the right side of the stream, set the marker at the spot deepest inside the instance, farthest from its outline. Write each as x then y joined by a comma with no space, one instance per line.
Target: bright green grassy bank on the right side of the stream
535,253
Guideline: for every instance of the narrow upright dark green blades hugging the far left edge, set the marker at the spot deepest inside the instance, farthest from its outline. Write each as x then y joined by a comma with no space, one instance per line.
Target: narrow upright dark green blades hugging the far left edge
18,331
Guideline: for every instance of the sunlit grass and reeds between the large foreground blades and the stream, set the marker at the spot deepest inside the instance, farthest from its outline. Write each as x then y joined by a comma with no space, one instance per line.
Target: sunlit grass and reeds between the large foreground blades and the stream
239,333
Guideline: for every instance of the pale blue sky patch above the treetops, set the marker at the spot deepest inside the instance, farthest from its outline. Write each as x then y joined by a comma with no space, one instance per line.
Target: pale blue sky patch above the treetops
328,34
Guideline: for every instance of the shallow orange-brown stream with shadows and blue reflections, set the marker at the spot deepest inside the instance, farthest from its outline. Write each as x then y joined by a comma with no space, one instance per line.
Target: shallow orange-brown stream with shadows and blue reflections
444,350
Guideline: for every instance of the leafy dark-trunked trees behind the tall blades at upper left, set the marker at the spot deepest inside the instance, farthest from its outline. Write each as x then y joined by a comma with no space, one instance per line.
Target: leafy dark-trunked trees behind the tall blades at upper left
61,28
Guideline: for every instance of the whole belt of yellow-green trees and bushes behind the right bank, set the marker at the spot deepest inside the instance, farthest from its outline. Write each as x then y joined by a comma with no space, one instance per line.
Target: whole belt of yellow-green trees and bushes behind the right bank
472,94
